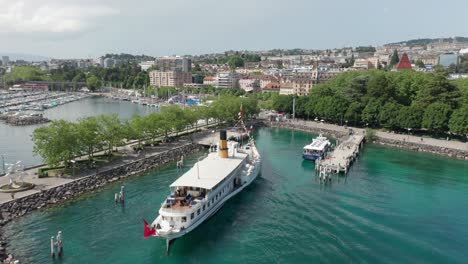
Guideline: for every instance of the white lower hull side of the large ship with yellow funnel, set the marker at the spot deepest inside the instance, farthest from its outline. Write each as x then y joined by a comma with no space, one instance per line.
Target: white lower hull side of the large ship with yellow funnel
173,235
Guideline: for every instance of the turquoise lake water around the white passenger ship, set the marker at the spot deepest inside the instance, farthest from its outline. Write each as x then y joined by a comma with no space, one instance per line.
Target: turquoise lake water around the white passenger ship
394,207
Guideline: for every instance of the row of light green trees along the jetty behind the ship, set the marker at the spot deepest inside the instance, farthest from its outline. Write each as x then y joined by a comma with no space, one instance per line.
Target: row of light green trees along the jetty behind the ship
62,141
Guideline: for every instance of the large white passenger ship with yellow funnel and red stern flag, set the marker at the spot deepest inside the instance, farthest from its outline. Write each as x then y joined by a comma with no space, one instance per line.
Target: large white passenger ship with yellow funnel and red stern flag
204,189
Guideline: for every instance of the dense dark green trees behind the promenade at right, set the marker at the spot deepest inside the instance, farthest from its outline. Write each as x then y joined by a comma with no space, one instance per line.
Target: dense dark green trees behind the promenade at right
405,100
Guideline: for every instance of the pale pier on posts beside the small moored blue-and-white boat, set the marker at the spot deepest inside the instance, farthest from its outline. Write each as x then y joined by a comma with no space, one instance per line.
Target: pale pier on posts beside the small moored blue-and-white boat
341,158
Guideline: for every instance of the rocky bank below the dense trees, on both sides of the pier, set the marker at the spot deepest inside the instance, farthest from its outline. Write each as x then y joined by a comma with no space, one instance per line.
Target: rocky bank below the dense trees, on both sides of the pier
442,151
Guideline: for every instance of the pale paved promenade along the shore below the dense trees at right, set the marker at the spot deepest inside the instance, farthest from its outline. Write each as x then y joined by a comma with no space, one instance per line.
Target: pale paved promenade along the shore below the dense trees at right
387,135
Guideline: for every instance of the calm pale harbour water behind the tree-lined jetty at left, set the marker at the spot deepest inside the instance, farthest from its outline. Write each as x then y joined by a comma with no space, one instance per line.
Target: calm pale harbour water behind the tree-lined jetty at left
15,141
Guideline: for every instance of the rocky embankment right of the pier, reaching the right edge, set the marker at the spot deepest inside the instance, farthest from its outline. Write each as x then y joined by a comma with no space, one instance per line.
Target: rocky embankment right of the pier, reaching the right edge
452,153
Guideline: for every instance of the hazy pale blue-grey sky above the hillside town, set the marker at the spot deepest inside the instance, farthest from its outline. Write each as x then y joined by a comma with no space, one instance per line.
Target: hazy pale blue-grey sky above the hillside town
89,28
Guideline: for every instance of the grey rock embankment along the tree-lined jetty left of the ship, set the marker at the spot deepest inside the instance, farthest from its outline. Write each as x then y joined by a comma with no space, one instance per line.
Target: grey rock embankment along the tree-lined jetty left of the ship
22,206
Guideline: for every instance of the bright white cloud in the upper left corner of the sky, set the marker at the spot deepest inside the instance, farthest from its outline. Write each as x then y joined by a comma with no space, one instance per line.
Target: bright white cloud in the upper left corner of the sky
50,16
